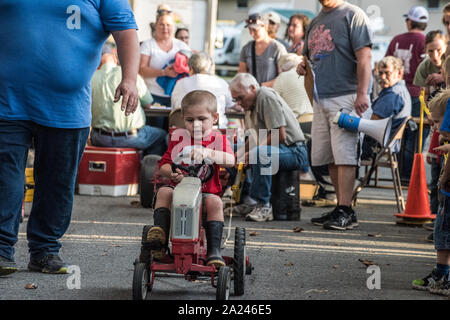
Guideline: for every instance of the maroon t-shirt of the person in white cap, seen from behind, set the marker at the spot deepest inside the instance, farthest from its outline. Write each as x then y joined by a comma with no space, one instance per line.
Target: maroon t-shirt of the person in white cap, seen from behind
409,47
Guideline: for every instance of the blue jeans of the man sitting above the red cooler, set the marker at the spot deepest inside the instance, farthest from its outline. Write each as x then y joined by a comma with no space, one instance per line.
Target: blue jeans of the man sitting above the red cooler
150,139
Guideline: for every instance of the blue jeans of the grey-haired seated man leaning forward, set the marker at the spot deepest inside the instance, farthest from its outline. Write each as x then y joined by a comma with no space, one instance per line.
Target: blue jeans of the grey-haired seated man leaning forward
289,158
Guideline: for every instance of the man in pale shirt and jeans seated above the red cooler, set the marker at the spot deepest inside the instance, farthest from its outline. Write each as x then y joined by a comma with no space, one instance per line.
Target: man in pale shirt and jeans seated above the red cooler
110,126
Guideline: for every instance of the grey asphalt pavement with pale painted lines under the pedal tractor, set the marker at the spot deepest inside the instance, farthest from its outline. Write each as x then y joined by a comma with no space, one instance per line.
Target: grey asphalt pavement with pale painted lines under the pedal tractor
309,263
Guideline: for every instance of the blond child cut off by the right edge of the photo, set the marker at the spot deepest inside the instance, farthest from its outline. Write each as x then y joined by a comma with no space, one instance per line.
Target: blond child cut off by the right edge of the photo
438,280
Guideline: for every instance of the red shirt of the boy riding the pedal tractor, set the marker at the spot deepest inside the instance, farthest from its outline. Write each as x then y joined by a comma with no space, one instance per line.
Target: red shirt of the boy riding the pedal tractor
216,141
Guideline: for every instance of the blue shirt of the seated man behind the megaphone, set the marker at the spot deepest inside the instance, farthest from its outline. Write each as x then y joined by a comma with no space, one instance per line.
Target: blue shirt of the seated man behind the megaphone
394,101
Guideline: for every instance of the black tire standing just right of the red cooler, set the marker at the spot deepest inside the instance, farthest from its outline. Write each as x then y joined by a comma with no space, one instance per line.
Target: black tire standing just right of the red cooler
146,184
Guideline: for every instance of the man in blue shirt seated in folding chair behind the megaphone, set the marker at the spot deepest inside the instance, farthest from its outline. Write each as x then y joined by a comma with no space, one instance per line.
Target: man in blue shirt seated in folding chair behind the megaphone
393,100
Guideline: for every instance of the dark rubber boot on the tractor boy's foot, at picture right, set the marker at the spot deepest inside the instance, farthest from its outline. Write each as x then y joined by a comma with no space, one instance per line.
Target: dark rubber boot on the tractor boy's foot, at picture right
214,231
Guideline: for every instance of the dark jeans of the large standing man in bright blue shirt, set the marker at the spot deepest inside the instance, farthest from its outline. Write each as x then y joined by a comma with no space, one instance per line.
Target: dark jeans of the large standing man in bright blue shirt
57,156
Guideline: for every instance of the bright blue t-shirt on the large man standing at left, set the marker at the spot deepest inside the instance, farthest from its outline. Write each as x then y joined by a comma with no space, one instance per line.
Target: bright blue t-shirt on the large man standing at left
49,50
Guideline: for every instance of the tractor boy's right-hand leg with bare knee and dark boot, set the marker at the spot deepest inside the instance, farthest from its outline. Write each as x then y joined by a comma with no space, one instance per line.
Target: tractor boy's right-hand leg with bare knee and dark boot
214,228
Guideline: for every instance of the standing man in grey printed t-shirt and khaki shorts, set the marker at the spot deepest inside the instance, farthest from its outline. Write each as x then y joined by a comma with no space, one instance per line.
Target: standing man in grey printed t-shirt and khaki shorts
338,46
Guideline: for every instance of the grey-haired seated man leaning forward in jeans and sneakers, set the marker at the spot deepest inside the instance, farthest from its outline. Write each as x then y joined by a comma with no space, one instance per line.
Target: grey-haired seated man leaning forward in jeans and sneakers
266,110
